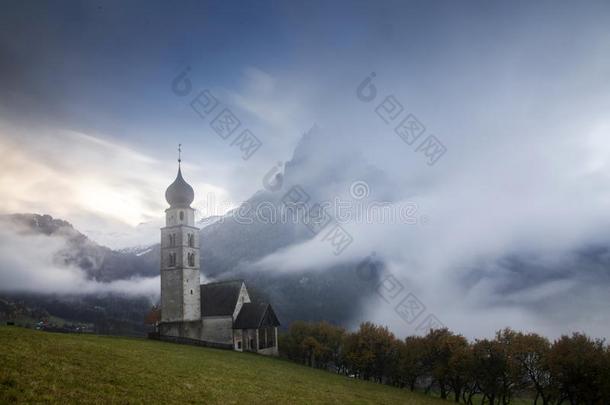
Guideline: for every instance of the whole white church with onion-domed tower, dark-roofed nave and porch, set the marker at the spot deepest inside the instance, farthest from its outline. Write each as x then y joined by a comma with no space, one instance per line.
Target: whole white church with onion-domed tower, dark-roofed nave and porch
220,314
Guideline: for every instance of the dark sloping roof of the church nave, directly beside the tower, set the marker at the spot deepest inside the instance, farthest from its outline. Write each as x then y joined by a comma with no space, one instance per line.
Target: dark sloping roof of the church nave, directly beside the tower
220,299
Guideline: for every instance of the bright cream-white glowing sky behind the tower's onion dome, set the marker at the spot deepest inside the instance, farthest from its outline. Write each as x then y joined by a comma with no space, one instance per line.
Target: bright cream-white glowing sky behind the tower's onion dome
105,189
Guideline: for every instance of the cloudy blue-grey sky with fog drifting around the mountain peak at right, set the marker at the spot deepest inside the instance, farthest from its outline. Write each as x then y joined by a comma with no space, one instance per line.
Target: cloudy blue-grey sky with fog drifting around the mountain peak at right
518,93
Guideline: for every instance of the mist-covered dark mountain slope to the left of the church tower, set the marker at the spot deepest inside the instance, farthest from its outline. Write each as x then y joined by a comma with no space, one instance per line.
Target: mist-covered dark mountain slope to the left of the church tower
50,269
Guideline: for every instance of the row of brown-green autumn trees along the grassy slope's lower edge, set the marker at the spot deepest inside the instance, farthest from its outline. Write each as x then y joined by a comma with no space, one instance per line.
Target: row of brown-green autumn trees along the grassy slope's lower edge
572,369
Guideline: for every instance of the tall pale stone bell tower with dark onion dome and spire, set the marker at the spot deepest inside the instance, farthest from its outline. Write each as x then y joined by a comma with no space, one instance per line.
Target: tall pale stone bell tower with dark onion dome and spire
180,284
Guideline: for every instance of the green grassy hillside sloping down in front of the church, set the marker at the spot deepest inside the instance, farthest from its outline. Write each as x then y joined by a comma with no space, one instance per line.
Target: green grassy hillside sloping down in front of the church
48,367
